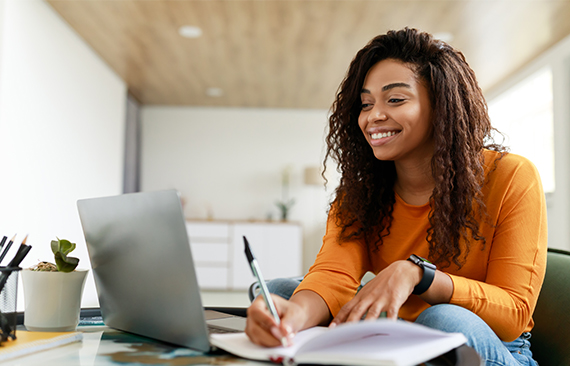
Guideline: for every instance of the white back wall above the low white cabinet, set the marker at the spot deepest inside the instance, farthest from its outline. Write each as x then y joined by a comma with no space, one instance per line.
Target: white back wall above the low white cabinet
227,162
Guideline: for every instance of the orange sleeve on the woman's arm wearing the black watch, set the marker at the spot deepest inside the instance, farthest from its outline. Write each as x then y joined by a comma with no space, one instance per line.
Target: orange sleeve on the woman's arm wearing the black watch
505,298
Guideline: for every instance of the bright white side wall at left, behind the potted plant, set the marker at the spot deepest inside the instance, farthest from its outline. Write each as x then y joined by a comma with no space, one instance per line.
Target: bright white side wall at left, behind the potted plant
61,129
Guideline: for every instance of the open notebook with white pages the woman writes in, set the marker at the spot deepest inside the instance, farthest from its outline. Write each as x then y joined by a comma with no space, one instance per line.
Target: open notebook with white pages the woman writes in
381,342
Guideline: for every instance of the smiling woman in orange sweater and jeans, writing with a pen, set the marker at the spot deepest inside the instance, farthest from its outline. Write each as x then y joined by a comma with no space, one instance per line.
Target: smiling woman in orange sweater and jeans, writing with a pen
421,179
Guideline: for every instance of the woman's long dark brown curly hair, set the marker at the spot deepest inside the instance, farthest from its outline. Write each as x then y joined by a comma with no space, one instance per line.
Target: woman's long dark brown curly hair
365,197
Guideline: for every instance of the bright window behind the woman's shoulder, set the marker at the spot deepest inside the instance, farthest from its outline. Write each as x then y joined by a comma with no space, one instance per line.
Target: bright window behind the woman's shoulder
524,115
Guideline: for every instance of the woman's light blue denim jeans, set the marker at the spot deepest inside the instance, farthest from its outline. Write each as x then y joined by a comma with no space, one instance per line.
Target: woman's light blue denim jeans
452,318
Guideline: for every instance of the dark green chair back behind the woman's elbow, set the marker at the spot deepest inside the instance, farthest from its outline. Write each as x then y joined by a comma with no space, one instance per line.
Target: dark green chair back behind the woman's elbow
550,342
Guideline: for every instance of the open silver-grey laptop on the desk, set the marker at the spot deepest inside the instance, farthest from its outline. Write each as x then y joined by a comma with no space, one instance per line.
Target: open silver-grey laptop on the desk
143,269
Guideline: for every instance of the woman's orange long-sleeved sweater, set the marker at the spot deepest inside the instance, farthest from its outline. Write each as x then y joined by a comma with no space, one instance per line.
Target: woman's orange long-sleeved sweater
499,282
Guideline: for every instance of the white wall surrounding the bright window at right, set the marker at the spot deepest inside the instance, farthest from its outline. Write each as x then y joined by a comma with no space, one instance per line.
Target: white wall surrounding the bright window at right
558,203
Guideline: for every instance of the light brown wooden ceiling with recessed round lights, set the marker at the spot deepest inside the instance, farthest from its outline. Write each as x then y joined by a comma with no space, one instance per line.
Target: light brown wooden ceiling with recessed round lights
294,53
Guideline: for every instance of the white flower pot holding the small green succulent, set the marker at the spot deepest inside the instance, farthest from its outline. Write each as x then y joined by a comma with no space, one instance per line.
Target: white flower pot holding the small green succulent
52,299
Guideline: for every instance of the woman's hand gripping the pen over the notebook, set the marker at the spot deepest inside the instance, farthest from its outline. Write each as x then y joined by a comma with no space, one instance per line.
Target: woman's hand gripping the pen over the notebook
261,327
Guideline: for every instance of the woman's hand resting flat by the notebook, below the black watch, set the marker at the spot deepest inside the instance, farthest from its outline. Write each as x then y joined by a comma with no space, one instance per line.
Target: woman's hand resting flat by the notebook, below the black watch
386,292
